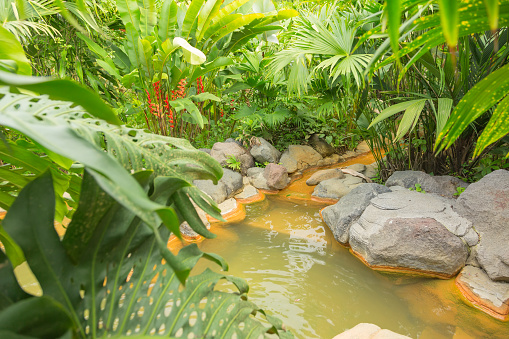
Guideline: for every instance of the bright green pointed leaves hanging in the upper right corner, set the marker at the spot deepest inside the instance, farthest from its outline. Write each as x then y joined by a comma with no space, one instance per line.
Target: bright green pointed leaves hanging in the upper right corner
453,21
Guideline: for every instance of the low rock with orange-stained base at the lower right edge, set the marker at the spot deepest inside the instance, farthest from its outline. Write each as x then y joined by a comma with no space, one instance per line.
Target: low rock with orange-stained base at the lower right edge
490,294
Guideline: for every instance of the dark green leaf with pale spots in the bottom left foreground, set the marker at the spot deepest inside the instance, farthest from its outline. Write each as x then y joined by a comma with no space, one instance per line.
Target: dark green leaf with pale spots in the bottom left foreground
118,284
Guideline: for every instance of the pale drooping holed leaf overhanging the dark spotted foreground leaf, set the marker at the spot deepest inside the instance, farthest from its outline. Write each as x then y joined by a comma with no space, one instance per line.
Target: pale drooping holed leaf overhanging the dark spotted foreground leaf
56,128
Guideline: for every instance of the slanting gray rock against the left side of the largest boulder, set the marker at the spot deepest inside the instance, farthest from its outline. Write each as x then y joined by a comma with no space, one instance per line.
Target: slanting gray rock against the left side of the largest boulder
340,216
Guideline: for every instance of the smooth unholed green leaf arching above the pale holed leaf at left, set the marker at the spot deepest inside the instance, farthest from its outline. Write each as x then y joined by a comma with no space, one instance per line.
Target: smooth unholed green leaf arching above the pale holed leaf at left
63,90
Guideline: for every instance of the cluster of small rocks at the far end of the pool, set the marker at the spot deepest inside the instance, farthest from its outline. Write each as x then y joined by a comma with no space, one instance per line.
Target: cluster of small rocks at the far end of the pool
278,166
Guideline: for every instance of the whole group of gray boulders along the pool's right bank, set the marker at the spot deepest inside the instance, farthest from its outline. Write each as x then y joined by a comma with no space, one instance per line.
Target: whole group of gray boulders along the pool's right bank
428,231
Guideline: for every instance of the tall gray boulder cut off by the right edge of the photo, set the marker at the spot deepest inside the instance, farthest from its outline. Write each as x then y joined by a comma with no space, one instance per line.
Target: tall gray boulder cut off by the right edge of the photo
486,204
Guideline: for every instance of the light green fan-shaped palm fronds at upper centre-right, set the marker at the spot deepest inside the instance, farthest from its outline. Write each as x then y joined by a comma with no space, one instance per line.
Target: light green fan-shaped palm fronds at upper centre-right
329,35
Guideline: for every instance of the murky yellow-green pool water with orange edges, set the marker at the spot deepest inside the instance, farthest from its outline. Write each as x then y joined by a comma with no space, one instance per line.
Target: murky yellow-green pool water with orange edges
298,272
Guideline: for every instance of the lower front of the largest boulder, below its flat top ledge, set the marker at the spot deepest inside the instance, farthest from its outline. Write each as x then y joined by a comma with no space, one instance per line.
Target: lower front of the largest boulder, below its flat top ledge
415,243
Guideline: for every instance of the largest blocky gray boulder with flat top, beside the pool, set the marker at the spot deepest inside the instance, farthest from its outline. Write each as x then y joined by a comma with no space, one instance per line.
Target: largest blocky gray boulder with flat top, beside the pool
411,231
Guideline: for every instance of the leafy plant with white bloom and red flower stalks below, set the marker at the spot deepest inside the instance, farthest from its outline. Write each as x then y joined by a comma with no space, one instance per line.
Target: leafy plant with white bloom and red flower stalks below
156,61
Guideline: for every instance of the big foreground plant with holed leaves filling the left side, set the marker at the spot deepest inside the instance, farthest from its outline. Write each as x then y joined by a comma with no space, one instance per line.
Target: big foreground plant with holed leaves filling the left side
107,268
